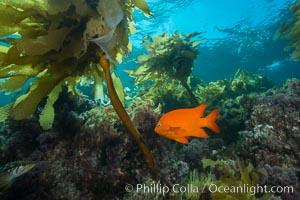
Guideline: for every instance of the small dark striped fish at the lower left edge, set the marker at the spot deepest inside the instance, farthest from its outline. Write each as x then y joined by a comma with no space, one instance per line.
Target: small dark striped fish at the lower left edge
11,171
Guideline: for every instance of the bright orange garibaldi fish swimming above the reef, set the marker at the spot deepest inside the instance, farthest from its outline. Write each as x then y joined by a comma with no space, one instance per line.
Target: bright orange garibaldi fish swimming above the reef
180,124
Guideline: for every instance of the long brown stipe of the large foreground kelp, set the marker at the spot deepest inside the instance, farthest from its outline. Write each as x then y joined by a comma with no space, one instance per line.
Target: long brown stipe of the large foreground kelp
105,64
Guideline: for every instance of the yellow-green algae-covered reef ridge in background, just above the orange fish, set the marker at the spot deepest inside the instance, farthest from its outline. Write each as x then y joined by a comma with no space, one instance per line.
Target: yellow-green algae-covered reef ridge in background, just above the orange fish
172,94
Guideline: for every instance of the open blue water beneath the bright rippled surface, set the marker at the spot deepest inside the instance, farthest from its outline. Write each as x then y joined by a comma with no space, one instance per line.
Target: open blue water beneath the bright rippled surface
234,34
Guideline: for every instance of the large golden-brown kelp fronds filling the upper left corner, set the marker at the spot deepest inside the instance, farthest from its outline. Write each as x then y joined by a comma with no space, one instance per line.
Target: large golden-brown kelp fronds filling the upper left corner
58,46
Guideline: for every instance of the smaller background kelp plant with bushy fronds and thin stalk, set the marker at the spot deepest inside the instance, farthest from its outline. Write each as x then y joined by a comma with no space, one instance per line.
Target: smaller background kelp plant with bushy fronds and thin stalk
168,57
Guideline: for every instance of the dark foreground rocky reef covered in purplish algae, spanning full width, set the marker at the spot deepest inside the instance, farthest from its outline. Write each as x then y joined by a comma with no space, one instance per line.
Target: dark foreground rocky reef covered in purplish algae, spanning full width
88,154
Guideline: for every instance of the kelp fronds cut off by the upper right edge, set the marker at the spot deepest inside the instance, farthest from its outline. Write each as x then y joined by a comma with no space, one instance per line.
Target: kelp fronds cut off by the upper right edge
291,30
